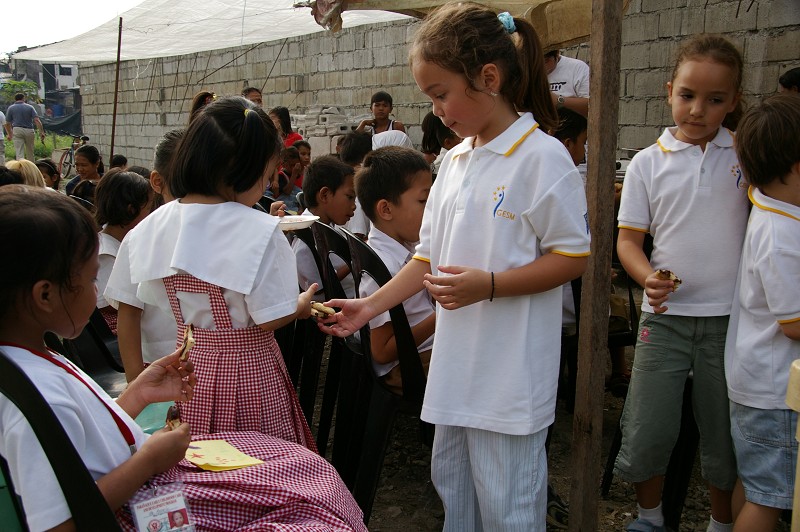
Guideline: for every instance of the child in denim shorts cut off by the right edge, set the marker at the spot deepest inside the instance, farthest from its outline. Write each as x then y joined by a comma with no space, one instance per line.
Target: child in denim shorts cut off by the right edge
764,333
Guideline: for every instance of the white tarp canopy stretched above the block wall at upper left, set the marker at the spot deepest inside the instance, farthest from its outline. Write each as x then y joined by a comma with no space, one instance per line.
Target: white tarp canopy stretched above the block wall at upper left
161,28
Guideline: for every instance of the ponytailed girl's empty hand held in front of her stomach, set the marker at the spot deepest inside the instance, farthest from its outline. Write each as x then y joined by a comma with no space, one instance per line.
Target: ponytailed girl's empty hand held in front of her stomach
464,286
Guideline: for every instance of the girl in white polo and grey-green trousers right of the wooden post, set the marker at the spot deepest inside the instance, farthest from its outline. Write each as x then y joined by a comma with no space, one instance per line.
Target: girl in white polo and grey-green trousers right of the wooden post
687,191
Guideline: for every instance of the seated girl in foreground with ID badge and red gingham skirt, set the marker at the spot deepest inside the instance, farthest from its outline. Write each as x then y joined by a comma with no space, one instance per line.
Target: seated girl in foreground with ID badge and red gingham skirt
47,284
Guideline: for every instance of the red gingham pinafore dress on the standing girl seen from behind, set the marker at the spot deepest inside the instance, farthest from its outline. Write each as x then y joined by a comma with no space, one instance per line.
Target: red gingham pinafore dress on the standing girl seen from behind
242,381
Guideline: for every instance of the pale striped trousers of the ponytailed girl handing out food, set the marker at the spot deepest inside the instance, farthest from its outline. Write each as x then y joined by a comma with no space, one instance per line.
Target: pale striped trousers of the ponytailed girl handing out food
490,481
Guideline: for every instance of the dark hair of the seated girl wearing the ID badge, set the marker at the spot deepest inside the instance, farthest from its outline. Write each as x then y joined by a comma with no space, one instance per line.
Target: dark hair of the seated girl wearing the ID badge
51,237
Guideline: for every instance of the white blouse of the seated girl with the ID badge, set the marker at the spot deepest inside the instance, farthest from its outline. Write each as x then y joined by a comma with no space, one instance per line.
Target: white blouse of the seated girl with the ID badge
87,423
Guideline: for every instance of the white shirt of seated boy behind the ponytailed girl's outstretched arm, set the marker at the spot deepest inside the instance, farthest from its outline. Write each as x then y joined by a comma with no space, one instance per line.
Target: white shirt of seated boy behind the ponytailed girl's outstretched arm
418,307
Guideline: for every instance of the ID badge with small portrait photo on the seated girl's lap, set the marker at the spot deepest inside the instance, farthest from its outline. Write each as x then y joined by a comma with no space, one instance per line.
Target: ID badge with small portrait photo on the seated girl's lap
161,509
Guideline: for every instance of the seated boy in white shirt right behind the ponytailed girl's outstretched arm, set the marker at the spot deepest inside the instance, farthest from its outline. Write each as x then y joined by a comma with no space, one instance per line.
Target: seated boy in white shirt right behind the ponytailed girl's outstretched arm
393,187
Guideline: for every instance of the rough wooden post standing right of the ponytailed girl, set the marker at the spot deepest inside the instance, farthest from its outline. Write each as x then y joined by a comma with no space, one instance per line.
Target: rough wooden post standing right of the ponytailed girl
592,348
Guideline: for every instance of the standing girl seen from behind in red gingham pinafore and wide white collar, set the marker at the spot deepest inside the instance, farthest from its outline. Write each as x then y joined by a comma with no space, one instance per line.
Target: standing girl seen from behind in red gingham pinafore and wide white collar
212,261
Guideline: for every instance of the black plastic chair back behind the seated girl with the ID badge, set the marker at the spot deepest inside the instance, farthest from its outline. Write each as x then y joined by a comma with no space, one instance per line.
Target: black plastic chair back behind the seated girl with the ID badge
87,505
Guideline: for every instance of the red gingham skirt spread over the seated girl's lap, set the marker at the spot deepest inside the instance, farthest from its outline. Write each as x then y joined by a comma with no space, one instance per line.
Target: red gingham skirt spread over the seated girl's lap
293,490
